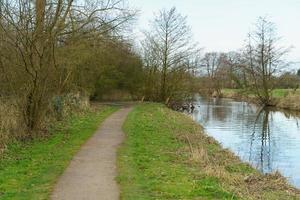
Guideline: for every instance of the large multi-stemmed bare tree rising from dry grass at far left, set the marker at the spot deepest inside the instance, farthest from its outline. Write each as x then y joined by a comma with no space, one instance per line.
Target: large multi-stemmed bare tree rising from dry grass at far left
31,34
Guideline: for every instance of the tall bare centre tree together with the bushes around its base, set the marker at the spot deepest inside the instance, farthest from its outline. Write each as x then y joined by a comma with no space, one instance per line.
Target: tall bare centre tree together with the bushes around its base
170,59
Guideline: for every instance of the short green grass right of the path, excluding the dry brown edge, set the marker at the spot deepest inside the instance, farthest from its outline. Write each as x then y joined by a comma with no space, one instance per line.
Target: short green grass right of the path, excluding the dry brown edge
150,167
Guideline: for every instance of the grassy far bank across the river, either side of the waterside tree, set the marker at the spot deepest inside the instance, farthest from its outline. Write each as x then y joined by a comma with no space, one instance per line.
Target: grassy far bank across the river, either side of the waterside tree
282,98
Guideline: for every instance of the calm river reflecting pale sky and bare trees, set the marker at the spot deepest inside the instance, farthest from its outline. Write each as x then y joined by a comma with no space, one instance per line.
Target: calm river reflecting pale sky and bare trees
267,139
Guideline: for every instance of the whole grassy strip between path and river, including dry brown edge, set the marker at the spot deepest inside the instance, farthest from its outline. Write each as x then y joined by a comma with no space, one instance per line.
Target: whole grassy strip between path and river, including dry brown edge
167,156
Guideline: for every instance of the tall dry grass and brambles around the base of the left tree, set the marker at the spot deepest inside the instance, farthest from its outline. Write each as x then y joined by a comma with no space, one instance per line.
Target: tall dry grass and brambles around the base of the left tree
11,121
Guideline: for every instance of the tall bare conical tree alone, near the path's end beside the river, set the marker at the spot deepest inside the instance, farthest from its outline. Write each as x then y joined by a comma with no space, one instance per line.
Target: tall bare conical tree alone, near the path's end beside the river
169,46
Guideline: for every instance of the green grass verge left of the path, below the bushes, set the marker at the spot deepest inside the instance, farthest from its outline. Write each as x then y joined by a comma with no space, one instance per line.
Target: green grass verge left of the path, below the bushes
30,170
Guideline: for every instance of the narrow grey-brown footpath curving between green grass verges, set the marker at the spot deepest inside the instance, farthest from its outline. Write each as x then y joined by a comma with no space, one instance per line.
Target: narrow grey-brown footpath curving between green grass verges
91,174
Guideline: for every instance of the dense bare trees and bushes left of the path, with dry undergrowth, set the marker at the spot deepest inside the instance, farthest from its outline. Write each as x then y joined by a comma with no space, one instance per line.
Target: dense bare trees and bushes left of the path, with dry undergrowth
60,53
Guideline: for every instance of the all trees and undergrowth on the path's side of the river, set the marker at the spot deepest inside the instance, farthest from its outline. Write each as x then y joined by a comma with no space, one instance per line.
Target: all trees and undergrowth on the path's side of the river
56,55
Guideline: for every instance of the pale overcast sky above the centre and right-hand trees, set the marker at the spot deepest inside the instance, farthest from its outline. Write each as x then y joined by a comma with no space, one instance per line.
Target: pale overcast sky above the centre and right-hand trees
222,25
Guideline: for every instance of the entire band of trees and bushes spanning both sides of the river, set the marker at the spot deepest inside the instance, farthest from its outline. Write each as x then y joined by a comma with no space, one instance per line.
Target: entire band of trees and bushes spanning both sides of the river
56,55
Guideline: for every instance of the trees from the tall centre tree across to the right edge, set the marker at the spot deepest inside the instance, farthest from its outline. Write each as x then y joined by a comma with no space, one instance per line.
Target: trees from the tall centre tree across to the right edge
176,68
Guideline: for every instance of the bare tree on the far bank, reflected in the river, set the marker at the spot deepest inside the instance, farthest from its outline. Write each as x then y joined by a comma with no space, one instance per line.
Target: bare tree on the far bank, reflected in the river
264,59
